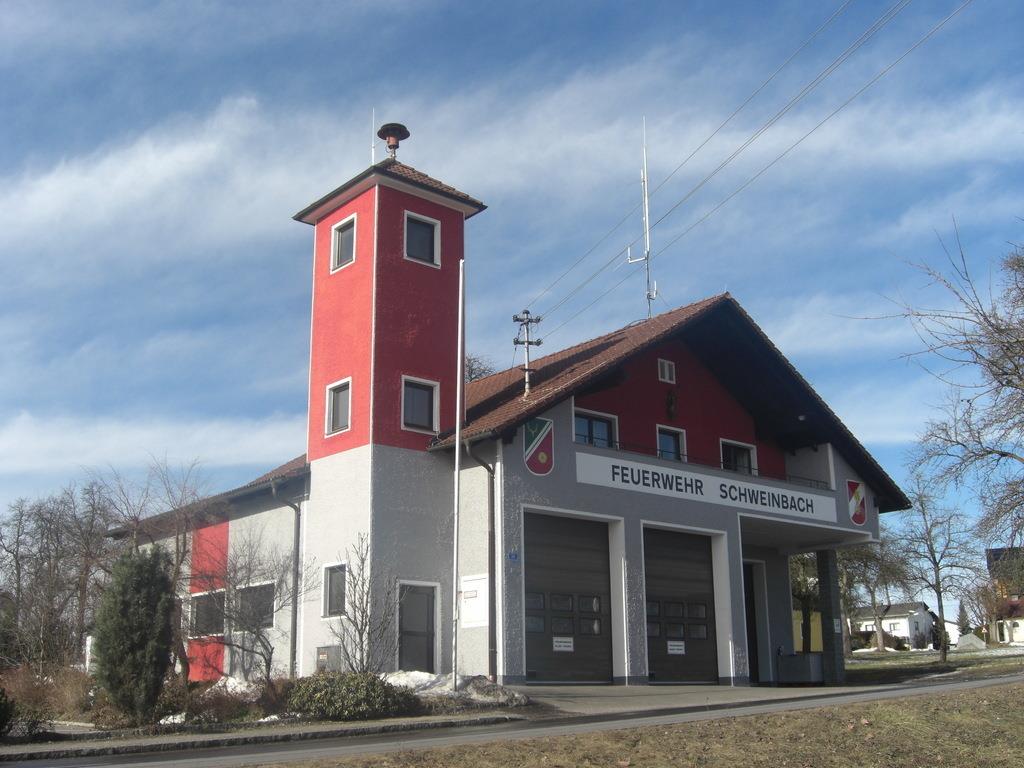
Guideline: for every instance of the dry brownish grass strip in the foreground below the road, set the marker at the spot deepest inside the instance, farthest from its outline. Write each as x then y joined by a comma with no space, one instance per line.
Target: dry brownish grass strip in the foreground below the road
974,729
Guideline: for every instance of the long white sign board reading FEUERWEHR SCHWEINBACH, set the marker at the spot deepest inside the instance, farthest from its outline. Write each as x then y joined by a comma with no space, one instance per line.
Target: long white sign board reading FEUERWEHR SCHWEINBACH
687,485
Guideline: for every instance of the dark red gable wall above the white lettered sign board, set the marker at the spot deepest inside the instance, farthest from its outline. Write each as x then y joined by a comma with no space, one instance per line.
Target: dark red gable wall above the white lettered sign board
704,408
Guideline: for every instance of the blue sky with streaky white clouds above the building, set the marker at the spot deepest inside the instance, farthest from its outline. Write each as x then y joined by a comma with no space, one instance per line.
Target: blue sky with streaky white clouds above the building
156,291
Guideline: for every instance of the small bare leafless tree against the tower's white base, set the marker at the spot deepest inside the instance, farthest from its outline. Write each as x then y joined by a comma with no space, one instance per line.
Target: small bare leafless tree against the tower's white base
367,636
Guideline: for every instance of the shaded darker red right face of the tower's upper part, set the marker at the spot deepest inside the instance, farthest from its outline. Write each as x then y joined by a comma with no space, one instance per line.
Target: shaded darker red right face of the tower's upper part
417,316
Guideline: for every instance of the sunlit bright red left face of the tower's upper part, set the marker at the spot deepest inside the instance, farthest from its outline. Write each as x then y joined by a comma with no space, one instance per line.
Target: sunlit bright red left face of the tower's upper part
340,342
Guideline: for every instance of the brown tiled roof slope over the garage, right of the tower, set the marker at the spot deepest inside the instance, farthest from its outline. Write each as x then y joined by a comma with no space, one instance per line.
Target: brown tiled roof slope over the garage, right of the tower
496,403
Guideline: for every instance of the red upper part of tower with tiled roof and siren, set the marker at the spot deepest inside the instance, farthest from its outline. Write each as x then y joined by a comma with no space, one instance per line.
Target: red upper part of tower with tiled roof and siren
383,339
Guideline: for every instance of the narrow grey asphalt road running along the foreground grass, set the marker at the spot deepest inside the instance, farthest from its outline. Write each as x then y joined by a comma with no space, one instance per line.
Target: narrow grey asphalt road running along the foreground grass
301,751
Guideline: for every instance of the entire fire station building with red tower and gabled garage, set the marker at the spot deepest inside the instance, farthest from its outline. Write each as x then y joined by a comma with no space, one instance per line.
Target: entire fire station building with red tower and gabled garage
627,522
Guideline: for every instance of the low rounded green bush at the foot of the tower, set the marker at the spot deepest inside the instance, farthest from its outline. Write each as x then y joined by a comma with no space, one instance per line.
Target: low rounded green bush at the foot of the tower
350,696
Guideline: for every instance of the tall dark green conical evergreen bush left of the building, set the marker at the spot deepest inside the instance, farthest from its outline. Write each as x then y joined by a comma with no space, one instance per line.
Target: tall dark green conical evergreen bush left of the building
134,632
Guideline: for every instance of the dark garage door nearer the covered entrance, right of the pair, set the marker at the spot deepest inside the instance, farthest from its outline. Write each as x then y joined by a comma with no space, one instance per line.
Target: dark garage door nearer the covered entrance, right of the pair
681,646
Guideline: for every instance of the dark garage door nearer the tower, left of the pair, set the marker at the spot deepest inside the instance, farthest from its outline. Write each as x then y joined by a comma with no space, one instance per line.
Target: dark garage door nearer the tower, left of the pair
568,612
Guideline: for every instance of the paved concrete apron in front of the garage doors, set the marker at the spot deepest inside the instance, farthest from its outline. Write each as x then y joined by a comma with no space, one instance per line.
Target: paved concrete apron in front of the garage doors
620,700
